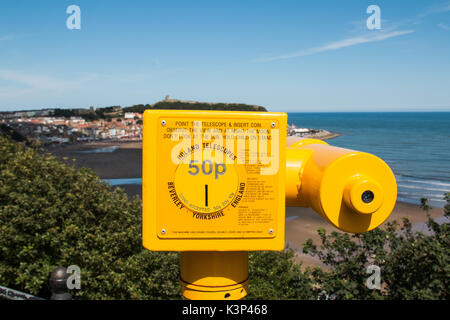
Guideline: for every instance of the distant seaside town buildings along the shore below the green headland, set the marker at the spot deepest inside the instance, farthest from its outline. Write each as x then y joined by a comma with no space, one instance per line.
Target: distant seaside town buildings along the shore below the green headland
110,123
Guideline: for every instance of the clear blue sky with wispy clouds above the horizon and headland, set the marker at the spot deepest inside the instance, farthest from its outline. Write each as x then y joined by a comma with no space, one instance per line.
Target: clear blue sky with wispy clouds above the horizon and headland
284,55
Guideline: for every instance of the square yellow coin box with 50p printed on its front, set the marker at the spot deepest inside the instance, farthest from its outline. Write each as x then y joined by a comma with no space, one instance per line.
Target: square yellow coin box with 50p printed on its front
213,180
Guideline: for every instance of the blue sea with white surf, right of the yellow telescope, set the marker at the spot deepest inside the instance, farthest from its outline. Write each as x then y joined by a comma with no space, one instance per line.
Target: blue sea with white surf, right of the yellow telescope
416,145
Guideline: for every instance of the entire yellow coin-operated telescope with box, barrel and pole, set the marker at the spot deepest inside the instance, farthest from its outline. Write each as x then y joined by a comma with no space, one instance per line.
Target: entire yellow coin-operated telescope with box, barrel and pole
216,184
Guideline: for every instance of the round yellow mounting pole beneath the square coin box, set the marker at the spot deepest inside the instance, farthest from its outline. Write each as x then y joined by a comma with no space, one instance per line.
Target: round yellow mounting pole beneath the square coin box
214,275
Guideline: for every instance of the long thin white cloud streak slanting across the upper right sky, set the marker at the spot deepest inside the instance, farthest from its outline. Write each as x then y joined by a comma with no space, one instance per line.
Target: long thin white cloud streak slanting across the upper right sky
370,37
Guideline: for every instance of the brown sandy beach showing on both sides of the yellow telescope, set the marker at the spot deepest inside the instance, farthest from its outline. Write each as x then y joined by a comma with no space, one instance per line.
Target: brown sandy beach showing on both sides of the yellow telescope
126,162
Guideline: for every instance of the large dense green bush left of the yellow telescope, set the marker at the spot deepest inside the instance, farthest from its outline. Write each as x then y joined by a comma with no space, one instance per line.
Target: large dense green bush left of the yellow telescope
52,214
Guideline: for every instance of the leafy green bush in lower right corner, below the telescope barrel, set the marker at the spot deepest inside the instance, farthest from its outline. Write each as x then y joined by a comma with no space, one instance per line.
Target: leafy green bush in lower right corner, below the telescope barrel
413,265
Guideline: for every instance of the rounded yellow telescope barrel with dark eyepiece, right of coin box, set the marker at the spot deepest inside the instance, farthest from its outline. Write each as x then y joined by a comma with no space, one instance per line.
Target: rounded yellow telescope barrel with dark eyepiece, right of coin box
354,191
